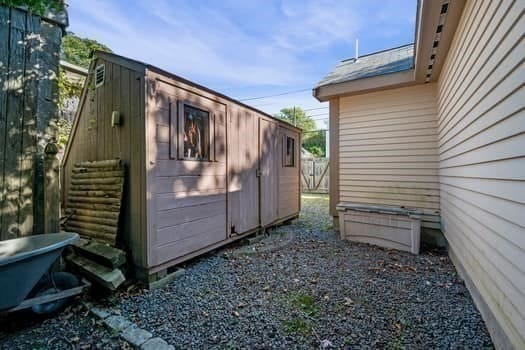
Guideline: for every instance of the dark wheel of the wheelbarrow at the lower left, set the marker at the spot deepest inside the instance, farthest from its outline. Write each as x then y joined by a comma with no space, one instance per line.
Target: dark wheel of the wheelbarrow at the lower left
62,281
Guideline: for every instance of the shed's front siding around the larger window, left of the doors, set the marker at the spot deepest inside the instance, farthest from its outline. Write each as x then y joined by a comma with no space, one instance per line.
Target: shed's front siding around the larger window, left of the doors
187,205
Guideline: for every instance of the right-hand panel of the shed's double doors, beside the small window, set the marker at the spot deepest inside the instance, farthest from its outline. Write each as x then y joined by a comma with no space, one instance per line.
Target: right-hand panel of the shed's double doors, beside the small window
269,171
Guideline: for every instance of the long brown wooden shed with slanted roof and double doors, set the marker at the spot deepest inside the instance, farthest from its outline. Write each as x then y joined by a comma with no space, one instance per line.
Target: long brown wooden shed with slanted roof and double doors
202,169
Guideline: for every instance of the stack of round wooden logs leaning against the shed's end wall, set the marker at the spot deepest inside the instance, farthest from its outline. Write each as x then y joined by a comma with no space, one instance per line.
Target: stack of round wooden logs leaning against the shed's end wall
95,198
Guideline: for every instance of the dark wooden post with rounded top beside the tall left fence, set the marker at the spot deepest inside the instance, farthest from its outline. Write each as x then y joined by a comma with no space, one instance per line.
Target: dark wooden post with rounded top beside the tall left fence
51,189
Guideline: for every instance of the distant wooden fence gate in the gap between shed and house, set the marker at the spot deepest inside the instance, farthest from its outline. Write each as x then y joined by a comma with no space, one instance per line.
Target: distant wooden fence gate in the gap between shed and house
315,175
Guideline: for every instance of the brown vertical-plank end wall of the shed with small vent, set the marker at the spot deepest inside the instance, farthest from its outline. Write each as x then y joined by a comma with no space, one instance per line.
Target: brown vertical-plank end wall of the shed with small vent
93,138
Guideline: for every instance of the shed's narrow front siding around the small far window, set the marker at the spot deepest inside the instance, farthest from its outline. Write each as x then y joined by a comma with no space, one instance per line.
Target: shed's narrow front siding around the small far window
289,180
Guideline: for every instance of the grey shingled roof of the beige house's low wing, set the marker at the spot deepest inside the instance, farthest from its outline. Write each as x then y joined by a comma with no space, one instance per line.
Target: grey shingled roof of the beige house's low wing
388,61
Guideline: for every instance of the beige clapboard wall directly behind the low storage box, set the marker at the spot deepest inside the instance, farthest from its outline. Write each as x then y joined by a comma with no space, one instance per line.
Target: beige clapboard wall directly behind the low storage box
388,153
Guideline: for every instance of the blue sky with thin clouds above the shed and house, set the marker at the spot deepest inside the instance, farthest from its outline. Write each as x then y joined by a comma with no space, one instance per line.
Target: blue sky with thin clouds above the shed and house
247,49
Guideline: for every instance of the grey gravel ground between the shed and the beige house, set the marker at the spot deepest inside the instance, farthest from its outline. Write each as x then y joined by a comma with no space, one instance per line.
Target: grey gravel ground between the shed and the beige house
317,292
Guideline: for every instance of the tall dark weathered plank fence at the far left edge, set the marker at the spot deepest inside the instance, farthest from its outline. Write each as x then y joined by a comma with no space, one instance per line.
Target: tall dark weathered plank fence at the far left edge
29,58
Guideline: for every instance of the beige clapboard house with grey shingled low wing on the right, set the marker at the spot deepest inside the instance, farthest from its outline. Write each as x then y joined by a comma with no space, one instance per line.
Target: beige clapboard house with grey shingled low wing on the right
440,126
